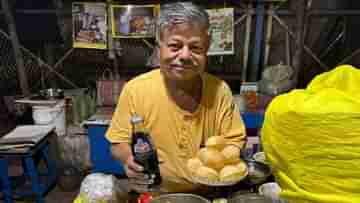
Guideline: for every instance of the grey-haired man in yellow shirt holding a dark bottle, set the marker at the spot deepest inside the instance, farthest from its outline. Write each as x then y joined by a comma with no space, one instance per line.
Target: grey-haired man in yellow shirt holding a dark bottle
180,103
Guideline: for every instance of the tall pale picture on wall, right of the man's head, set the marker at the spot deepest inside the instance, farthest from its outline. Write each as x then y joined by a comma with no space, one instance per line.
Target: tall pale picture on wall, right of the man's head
222,31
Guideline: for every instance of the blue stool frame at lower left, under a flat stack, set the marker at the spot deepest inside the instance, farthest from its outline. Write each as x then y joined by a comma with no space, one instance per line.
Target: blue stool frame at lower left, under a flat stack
40,182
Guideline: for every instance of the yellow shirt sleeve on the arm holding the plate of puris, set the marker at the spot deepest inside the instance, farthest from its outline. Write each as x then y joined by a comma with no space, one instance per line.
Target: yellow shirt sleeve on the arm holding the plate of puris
231,125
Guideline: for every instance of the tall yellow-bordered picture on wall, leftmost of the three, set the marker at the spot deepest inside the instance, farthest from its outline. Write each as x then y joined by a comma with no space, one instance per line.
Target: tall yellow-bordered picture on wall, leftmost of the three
89,25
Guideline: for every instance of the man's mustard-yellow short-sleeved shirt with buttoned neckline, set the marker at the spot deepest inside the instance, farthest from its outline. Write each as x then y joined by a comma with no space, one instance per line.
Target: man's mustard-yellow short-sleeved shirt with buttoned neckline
177,134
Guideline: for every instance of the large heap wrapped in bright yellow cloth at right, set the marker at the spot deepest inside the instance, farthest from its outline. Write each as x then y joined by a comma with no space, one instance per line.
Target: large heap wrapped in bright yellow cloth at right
311,138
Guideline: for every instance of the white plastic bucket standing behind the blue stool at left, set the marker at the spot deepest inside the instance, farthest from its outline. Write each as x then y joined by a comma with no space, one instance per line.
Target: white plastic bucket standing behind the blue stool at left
55,115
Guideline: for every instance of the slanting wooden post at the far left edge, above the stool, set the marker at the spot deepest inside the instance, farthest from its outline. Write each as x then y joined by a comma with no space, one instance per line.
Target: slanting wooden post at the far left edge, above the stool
16,47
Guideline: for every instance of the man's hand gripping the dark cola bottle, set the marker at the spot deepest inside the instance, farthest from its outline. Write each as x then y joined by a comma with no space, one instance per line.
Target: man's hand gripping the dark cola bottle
137,179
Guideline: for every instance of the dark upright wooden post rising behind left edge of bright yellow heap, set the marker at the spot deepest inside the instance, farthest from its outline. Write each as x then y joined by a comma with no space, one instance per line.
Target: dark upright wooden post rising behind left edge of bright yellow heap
300,6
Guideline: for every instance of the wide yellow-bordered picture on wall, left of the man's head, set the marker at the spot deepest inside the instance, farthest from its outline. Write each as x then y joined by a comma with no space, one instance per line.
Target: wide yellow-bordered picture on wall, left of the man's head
132,21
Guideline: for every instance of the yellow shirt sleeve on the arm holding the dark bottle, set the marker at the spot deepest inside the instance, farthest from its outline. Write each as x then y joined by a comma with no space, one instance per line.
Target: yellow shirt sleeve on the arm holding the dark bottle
120,127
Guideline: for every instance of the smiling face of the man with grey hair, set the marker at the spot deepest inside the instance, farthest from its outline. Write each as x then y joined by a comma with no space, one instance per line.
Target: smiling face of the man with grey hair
183,51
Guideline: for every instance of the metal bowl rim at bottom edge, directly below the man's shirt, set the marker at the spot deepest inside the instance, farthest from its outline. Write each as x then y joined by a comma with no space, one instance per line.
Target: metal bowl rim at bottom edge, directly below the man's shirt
179,198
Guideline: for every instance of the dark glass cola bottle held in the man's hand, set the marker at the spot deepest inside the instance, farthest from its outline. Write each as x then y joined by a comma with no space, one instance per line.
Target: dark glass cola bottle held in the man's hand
143,149
